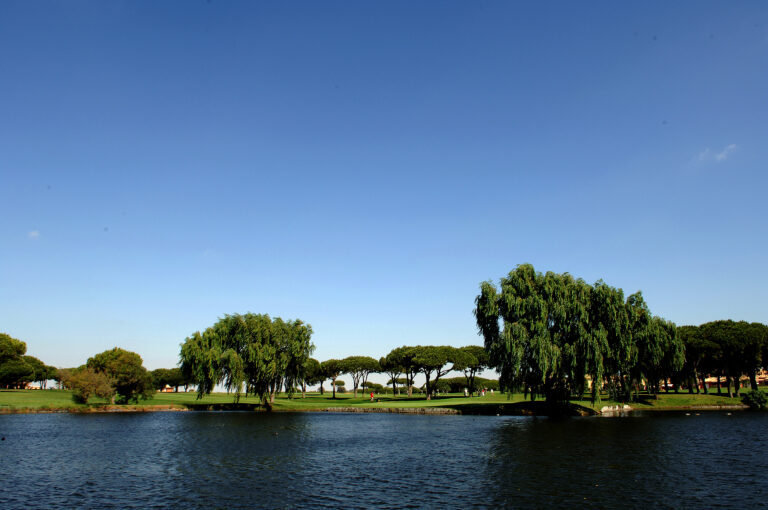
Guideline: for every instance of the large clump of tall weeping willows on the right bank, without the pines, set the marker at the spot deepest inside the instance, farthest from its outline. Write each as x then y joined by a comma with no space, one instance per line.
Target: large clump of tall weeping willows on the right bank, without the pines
551,334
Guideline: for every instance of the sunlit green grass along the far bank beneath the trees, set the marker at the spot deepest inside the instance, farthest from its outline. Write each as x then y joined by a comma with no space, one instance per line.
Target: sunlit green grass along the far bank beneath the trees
44,400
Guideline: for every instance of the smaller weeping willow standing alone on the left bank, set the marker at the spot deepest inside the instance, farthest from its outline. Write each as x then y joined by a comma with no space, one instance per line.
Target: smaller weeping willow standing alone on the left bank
248,353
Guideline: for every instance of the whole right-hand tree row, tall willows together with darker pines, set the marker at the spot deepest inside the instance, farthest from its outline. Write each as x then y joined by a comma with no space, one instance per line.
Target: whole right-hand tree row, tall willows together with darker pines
554,335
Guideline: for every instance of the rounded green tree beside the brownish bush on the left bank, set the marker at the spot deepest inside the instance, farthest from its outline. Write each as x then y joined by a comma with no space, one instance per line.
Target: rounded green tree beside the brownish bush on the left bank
126,373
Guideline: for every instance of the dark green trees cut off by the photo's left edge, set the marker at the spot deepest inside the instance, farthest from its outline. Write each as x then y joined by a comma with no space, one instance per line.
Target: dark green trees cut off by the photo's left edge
17,369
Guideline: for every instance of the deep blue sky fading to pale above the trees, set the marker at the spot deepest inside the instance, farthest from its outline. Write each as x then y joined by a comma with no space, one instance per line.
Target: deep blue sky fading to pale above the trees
363,166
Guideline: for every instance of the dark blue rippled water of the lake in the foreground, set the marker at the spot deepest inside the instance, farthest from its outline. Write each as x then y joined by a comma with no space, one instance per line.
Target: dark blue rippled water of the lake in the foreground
225,460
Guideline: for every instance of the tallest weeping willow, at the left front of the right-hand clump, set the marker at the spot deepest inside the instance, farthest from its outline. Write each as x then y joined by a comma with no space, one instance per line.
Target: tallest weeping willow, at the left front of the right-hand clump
538,336
